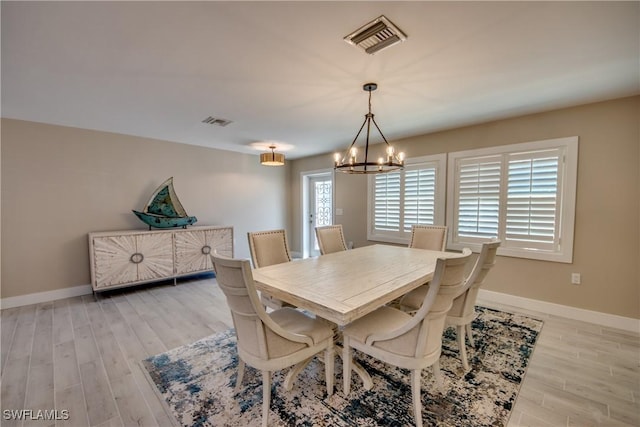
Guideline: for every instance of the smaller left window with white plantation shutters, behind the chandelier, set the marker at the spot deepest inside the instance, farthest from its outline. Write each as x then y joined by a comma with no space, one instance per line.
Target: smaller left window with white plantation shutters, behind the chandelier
415,195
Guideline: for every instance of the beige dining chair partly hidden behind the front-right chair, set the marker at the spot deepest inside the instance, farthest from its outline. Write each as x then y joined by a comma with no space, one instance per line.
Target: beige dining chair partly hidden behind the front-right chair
462,311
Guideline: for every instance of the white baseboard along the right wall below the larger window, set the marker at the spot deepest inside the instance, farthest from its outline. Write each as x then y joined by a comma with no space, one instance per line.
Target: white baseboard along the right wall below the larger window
604,319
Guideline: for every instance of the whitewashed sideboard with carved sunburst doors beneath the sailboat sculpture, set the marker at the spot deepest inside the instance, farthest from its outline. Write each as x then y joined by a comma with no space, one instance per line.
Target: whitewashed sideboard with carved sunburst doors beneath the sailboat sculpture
126,258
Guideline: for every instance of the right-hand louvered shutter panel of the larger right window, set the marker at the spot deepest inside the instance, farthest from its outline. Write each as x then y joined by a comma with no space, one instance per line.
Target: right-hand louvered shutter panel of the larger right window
533,198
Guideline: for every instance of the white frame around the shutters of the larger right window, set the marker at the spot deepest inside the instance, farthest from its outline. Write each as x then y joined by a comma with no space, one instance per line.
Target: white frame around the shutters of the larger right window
567,183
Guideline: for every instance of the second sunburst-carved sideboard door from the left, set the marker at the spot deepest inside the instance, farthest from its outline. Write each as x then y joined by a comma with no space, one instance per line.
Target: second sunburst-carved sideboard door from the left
156,250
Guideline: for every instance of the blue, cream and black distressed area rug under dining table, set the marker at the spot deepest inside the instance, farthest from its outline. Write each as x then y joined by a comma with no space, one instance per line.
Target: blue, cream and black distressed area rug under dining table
196,382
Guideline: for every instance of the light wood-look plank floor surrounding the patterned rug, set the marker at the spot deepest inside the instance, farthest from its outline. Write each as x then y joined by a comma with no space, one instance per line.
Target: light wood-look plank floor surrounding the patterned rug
82,355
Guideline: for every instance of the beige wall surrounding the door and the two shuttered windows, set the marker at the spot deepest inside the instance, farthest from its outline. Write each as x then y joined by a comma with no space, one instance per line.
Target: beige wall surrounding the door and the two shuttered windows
607,228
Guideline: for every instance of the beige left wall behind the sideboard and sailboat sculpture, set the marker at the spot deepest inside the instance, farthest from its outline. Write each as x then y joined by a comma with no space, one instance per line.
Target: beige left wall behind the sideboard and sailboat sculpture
60,183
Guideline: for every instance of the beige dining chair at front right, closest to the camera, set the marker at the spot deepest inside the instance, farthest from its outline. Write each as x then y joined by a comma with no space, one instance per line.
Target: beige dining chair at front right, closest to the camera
409,342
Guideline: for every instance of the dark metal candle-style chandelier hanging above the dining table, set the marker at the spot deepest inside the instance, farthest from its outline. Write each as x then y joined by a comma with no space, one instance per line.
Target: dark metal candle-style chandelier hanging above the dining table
349,163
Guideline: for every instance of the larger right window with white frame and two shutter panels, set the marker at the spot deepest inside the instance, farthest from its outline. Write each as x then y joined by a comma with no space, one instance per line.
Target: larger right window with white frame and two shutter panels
522,194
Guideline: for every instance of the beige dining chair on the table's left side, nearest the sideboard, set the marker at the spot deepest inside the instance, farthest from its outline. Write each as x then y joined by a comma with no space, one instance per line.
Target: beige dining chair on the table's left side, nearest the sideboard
268,248
